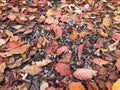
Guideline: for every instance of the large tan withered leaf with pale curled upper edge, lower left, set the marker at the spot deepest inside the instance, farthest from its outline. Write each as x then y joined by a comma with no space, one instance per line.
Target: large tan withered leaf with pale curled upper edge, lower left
35,67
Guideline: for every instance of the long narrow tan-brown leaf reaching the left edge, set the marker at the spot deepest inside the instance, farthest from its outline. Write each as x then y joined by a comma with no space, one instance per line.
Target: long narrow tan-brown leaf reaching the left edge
20,50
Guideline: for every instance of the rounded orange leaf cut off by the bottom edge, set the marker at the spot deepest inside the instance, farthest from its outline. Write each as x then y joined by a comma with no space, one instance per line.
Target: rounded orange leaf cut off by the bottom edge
76,86
